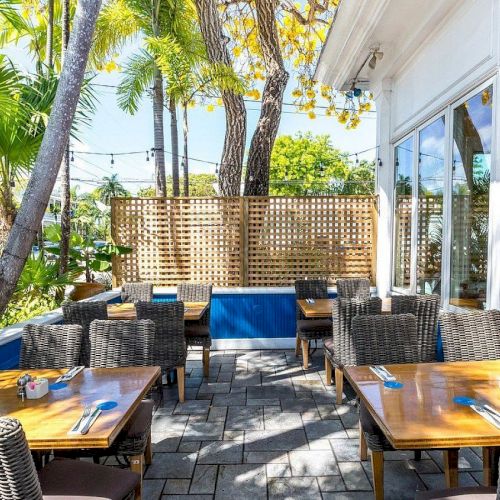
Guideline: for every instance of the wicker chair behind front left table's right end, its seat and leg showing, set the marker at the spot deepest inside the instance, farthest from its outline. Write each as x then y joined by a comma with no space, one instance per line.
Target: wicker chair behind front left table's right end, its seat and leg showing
127,343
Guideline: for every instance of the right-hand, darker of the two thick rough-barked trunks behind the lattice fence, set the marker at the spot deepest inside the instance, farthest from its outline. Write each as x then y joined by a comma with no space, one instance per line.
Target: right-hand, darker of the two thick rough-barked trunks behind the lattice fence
259,156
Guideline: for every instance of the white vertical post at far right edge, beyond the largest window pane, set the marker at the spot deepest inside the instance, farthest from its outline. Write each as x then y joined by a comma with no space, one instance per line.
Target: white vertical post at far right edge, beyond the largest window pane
493,299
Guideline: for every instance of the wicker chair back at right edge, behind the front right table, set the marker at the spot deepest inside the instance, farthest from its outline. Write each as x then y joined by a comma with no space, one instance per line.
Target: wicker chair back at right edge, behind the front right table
474,336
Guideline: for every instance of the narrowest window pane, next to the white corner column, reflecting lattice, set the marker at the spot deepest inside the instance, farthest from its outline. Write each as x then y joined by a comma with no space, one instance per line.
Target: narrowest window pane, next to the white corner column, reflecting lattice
402,213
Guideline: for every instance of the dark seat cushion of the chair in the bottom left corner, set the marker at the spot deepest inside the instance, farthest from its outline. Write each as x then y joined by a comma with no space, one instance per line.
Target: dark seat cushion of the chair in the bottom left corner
76,480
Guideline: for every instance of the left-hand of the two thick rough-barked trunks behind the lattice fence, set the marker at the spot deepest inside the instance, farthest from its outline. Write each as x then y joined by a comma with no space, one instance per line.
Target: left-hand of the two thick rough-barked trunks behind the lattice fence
234,142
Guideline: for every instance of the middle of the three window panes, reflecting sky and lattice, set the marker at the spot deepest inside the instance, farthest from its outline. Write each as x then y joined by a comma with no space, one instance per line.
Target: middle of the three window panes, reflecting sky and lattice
430,206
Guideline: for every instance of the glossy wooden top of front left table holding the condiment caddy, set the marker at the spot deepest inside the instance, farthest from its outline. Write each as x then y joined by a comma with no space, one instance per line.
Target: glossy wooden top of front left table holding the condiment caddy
46,421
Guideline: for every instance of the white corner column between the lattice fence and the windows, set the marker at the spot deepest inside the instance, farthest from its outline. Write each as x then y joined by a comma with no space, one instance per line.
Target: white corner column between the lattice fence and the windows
385,180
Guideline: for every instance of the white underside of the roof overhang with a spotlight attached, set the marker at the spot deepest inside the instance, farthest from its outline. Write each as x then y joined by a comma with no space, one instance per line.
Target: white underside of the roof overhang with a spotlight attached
397,27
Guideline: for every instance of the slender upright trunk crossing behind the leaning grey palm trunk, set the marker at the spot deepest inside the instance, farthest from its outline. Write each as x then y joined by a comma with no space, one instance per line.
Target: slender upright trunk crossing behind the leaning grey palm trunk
64,172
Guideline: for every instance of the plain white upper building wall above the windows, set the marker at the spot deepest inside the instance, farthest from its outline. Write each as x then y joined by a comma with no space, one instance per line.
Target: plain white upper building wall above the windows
461,52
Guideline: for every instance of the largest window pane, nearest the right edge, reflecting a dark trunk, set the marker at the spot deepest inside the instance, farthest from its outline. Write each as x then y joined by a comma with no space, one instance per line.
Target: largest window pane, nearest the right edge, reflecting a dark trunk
472,133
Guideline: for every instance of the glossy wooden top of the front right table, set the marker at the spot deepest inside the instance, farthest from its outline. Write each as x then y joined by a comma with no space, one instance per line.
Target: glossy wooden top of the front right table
422,414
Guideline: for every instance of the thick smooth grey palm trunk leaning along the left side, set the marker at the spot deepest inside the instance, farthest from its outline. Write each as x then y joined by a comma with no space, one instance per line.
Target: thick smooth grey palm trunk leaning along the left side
50,154
